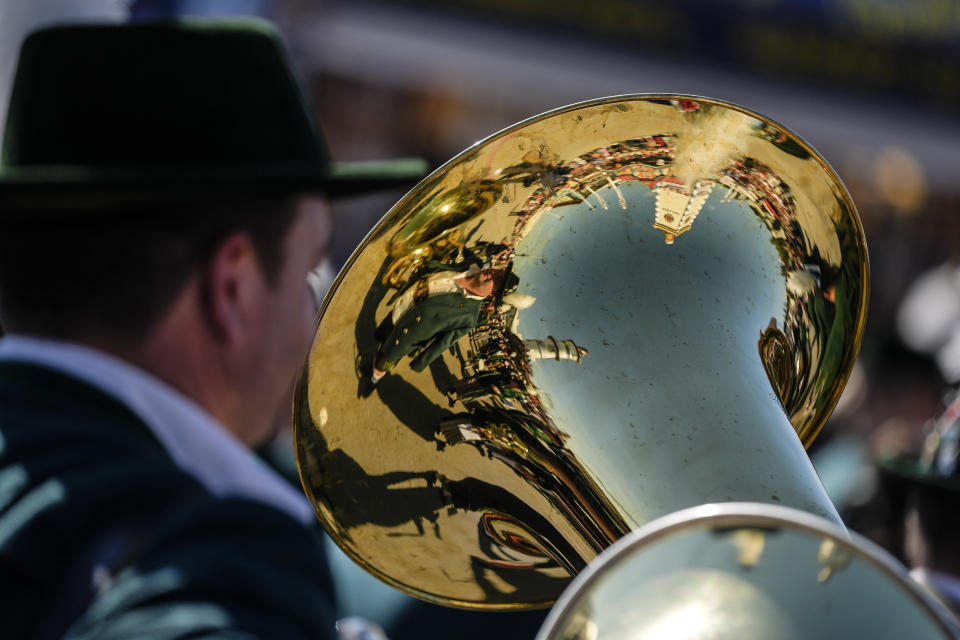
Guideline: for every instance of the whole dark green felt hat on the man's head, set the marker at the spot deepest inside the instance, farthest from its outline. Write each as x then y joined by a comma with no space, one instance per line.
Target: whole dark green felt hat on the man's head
107,116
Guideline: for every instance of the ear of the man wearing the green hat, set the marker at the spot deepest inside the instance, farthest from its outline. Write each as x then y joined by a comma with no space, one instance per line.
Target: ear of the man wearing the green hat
233,286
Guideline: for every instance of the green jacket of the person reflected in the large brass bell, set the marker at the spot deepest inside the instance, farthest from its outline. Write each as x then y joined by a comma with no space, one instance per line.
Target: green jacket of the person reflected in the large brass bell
431,326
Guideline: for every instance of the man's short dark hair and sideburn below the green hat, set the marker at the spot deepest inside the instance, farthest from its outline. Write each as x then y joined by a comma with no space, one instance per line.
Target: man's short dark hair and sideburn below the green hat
113,276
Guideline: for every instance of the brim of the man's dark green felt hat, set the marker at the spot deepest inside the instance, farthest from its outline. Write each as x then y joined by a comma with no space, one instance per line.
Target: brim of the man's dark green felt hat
84,190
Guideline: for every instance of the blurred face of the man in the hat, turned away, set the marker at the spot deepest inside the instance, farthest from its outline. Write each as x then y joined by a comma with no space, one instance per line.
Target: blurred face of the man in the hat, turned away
287,316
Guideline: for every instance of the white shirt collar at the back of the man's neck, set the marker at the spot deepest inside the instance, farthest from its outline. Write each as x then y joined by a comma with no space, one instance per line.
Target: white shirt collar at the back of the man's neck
198,443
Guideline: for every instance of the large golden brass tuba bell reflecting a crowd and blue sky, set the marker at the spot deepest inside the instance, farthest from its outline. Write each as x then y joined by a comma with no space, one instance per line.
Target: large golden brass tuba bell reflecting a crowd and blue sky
678,293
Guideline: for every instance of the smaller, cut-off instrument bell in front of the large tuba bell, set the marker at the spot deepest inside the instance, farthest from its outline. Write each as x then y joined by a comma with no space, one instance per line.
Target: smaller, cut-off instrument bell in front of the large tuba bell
734,571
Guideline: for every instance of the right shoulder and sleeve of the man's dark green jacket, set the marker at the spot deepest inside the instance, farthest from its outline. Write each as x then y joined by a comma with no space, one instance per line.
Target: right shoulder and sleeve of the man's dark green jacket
219,568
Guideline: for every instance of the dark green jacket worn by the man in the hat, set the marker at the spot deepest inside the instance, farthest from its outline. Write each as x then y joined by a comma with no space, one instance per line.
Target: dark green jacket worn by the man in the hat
103,536
